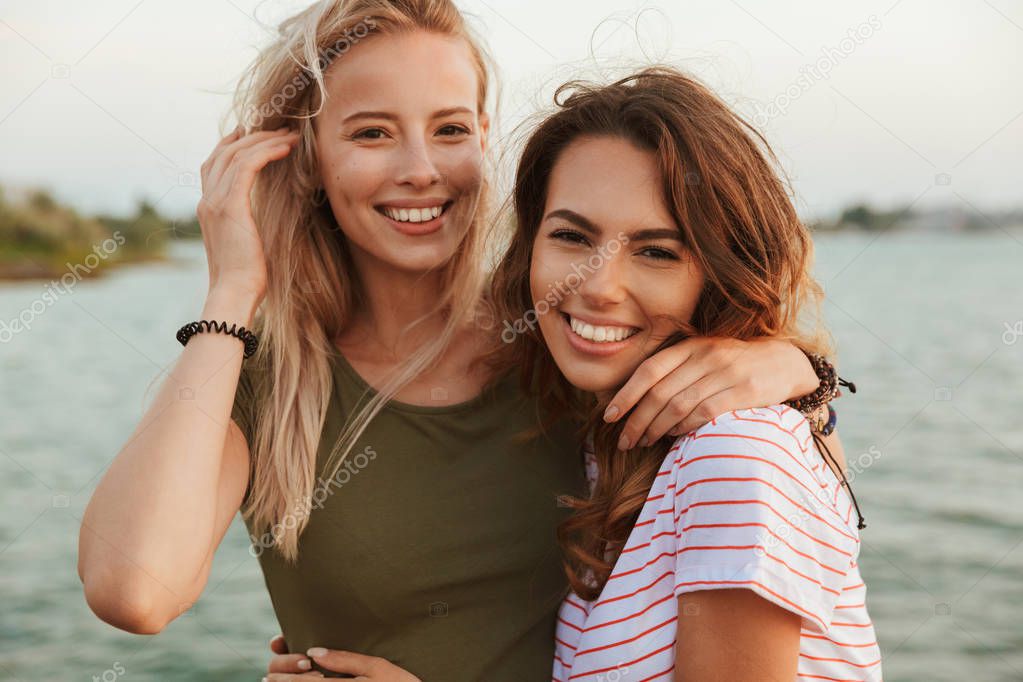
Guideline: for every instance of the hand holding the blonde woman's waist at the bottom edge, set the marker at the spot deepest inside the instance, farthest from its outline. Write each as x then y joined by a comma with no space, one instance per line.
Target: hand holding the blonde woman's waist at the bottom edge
285,666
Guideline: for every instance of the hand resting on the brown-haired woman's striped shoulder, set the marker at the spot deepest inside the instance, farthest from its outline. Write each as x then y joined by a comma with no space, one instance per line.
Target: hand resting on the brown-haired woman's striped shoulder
685,387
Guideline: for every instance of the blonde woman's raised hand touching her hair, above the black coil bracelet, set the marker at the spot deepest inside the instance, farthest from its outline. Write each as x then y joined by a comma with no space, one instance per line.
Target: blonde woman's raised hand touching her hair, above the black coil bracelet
234,248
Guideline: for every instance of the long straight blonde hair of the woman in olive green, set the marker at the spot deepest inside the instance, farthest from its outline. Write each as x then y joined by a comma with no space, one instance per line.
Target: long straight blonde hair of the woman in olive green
312,294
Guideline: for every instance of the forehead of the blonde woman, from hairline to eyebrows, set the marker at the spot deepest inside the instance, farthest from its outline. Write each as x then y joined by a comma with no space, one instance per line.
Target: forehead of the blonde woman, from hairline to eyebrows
388,72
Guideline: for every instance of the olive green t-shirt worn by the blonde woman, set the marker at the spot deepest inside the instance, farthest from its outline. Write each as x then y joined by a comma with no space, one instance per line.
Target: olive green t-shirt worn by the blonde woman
435,545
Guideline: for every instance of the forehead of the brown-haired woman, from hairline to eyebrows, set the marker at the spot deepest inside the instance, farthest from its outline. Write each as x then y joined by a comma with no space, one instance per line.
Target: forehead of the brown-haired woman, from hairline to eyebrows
609,180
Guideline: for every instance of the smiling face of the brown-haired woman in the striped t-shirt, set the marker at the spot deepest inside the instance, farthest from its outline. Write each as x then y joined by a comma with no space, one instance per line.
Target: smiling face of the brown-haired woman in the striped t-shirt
610,259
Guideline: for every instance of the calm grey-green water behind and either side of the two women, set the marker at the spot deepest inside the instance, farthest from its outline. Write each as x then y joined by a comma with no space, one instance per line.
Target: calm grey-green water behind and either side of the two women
936,432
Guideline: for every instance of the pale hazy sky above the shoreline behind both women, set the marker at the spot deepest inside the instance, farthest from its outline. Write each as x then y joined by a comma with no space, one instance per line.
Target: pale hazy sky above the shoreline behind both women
108,102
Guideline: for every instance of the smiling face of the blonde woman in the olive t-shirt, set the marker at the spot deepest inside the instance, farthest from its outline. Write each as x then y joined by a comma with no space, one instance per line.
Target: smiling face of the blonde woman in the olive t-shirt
401,146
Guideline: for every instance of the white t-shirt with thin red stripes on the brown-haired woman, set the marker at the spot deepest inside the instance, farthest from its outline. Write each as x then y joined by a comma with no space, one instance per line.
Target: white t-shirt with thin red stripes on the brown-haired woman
745,502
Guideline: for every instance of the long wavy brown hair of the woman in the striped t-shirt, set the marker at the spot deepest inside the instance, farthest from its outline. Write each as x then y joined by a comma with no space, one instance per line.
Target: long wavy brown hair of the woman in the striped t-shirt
736,216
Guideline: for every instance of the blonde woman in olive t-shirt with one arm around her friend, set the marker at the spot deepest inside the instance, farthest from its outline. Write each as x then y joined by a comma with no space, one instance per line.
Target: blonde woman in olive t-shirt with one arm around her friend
349,214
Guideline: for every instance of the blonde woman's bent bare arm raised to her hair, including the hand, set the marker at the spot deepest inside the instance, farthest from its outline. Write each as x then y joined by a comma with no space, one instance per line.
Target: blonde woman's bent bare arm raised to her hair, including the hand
150,532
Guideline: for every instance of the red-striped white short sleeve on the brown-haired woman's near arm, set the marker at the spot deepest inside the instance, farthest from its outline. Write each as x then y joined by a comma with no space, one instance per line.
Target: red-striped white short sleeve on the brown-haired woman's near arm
755,508
